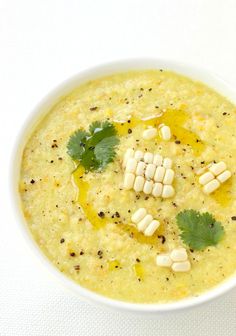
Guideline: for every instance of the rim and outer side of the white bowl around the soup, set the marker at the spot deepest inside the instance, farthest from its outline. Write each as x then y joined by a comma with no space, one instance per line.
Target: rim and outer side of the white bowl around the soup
43,107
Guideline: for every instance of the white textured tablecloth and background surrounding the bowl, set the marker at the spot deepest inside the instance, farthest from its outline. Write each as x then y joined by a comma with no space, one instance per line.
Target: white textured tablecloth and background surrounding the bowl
42,42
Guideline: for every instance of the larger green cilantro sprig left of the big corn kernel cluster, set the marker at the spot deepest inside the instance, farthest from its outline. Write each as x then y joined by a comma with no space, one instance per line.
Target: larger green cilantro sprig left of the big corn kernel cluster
95,148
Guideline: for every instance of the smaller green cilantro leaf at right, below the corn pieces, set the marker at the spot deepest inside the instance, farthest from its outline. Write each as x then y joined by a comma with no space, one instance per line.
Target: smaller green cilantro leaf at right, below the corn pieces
199,230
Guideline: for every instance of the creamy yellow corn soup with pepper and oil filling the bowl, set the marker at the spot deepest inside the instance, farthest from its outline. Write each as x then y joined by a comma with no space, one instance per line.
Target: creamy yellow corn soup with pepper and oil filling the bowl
82,215
